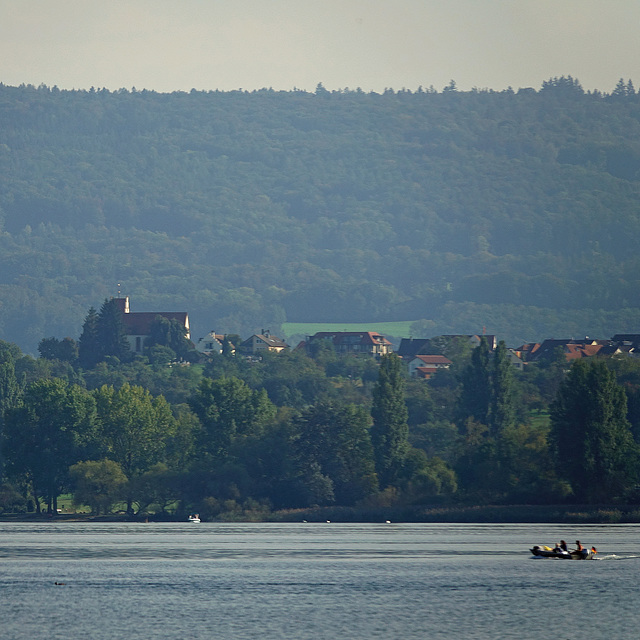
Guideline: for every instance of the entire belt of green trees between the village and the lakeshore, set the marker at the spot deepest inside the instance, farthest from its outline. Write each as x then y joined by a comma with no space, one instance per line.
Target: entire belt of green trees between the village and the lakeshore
294,431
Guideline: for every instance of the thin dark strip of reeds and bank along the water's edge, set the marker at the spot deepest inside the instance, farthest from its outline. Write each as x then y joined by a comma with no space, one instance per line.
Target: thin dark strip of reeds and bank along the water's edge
484,514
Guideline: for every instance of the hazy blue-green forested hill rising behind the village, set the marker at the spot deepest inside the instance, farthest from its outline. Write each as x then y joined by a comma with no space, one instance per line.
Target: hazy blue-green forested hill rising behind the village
518,211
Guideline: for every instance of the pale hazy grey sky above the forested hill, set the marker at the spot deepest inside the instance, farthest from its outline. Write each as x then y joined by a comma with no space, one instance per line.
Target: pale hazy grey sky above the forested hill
171,45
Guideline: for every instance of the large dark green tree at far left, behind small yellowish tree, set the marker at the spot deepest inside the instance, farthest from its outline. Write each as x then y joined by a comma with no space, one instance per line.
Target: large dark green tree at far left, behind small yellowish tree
53,428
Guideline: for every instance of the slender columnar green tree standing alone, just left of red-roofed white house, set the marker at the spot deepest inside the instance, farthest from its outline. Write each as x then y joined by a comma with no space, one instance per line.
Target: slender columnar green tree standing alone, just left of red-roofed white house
390,431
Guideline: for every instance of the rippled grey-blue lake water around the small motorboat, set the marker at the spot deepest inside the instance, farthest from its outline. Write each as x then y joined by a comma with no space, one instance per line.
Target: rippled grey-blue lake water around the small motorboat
314,581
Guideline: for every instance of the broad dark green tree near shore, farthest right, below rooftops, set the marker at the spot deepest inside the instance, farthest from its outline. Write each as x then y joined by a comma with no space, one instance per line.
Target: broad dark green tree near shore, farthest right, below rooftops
591,436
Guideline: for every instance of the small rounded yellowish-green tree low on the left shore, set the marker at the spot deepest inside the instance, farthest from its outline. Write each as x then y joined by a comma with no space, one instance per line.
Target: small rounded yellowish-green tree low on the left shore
97,483
